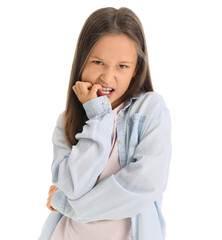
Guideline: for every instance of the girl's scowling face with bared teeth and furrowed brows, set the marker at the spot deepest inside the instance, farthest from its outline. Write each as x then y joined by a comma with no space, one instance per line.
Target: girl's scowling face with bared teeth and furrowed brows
112,64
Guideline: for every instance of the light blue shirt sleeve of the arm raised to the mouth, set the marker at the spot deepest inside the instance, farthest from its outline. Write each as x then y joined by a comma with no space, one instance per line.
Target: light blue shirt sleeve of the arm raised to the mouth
75,170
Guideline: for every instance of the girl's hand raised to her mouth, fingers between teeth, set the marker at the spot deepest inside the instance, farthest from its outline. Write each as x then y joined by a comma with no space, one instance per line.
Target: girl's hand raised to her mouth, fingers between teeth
85,91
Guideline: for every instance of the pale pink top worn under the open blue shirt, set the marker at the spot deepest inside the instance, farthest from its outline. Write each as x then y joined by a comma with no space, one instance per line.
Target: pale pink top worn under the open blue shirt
68,229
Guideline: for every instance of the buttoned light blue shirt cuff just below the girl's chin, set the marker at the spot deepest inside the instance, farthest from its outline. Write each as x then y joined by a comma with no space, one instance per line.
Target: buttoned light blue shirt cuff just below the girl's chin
97,106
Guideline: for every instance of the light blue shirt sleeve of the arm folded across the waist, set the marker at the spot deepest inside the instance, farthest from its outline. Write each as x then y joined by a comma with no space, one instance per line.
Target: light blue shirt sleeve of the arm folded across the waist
134,187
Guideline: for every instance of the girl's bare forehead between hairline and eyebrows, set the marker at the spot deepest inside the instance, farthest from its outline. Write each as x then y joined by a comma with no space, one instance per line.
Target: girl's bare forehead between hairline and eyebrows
115,47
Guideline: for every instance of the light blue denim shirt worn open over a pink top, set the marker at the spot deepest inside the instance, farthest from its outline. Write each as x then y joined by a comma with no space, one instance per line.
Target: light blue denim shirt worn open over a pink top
144,145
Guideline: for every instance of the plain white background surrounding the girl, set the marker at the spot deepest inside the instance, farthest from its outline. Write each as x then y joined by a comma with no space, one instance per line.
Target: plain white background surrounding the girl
38,40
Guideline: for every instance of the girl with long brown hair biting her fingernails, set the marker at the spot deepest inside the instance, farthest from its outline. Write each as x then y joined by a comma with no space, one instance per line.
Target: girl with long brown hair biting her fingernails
112,144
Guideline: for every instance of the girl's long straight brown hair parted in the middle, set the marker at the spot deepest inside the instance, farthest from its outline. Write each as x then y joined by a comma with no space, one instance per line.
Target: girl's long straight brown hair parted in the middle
102,22
